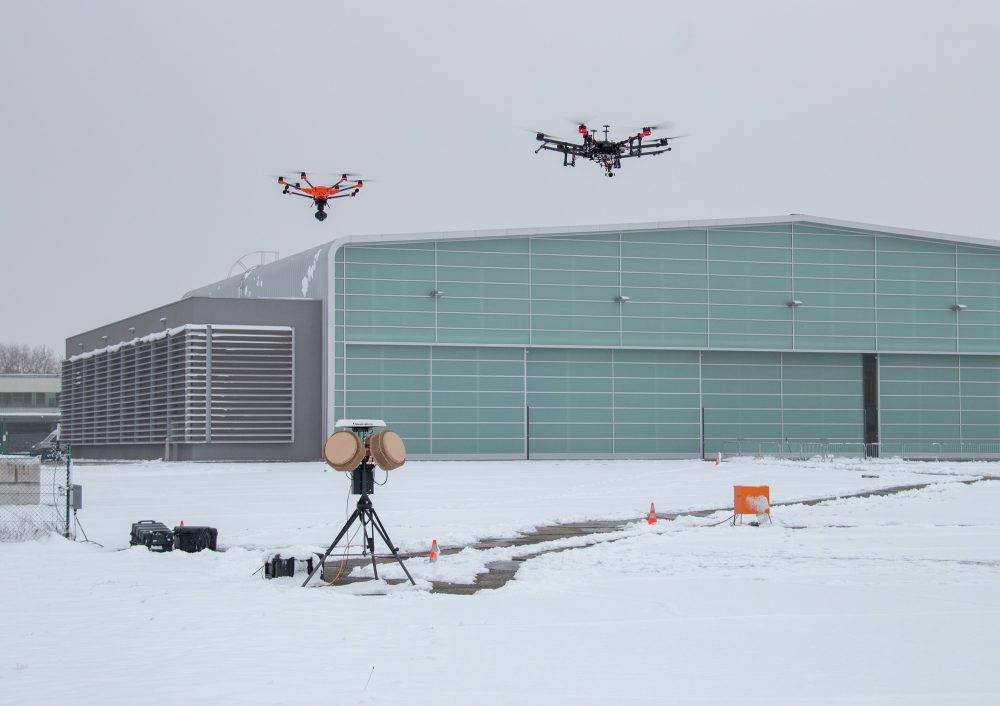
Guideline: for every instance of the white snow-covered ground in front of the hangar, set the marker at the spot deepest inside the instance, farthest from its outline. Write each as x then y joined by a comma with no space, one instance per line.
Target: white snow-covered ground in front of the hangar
883,600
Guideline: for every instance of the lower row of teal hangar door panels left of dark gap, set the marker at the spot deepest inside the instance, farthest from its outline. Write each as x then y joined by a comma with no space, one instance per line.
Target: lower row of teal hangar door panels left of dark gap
514,402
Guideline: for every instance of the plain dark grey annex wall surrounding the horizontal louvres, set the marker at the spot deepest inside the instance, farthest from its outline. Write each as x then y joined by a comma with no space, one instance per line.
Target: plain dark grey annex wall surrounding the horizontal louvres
304,315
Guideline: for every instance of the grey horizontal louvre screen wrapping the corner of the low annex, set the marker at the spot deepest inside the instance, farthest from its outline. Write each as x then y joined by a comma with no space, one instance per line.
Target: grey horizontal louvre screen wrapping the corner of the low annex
194,384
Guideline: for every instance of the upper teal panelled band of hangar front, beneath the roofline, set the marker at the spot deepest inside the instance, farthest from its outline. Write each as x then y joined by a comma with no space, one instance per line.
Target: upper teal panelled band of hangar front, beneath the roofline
713,288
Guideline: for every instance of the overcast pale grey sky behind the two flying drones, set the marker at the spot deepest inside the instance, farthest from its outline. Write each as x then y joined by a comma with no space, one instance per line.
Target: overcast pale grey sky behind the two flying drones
139,138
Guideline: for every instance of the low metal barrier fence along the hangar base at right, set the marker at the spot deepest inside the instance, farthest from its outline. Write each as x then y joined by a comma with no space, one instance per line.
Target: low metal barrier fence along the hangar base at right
908,450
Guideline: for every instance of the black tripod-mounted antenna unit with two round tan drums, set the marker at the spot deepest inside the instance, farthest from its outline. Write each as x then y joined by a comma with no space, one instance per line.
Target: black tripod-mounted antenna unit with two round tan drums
356,448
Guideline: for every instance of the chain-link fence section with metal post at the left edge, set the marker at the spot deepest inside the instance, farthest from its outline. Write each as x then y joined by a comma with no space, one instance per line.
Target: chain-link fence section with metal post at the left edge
34,497
